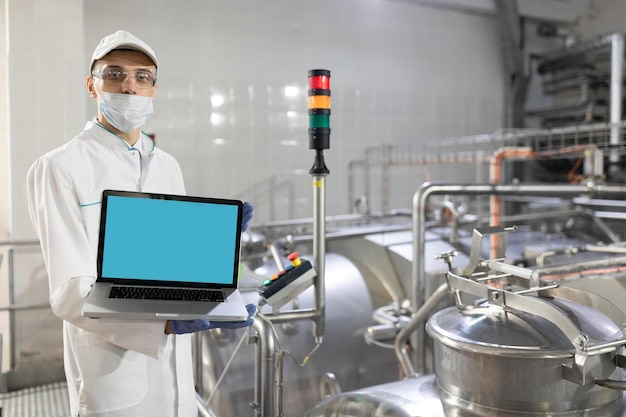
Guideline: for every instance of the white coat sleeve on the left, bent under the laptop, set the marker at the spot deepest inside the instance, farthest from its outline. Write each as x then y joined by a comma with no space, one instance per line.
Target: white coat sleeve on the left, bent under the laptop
70,259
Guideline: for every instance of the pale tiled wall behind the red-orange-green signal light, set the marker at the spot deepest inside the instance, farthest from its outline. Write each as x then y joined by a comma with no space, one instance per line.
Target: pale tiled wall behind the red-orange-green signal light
400,73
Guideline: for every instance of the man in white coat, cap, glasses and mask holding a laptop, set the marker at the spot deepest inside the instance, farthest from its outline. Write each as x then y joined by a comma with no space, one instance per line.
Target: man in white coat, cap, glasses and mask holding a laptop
114,368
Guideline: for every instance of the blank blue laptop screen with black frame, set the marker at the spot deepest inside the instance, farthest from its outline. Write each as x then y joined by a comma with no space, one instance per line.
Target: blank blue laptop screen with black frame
166,239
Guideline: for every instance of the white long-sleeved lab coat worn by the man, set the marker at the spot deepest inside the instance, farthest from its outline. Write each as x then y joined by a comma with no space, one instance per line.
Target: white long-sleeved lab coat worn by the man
114,368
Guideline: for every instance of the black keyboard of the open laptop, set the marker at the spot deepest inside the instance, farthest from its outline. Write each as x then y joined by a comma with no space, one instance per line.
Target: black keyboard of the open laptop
177,294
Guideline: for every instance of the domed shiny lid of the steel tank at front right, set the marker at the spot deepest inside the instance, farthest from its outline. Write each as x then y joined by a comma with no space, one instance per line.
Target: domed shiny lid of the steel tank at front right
490,329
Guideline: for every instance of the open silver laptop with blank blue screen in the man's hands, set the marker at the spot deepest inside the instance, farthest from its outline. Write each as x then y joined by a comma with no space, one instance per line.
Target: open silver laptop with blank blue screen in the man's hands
167,257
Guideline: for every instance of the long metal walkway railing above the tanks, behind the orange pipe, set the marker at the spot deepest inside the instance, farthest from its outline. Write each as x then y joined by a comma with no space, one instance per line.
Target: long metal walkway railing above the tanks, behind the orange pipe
477,154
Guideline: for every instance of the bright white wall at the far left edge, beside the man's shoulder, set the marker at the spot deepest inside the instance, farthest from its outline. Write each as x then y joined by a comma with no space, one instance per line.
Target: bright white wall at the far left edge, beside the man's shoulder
41,106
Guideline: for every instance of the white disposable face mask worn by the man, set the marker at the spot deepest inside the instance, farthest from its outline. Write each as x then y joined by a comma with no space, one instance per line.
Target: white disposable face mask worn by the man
125,111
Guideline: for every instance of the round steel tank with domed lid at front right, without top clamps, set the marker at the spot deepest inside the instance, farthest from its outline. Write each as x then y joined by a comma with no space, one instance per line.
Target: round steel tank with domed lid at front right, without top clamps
492,363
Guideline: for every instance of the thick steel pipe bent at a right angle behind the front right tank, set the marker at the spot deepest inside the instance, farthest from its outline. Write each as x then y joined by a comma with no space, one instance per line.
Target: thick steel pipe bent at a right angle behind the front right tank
419,221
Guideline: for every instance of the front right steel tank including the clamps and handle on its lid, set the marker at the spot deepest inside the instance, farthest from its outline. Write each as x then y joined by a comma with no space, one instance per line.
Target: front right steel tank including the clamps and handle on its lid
563,348
